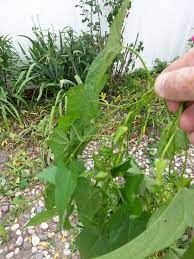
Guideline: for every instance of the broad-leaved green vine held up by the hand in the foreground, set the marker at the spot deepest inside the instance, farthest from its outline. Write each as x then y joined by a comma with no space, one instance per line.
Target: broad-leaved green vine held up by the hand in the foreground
135,217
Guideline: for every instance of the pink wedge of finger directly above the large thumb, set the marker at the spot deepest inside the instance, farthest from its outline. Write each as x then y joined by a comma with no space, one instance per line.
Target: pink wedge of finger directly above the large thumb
186,61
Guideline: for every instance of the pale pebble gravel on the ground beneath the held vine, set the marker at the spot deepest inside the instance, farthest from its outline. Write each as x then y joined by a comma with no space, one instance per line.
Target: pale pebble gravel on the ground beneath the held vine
41,241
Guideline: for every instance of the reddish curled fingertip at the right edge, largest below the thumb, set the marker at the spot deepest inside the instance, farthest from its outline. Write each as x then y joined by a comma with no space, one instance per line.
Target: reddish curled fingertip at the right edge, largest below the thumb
187,119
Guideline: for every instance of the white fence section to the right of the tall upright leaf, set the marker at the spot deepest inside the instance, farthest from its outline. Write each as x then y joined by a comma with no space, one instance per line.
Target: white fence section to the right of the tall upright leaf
164,26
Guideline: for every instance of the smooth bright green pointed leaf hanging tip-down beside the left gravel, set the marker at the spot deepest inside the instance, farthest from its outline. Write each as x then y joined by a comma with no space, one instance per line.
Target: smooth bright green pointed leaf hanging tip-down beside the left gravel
66,182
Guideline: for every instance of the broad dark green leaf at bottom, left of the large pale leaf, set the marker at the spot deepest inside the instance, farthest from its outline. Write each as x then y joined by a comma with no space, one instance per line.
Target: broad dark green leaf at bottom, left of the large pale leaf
93,243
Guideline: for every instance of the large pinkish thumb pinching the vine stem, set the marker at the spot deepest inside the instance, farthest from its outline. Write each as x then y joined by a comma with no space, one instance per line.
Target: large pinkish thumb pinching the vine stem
177,85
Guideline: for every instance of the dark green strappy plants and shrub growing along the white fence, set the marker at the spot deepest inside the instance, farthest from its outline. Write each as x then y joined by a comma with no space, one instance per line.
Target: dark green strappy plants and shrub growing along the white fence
54,62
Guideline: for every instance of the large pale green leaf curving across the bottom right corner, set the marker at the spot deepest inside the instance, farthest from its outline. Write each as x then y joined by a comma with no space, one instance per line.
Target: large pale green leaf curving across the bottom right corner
168,228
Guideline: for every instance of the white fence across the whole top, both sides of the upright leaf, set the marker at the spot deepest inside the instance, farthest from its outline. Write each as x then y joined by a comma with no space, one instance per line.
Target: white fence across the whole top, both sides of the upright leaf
164,25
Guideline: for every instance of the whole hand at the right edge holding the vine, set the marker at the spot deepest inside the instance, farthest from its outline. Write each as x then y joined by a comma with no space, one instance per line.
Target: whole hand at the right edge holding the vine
176,85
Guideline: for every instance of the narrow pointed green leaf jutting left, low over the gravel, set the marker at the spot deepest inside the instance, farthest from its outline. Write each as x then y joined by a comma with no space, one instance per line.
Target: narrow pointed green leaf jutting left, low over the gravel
41,217
